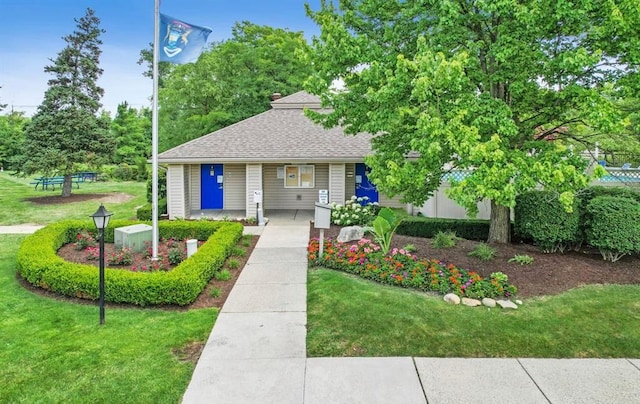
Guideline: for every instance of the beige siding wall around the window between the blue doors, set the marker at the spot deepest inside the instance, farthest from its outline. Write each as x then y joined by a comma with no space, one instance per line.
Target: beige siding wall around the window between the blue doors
276,196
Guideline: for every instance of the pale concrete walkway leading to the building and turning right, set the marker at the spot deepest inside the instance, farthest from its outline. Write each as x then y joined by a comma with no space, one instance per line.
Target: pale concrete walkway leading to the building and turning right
256,353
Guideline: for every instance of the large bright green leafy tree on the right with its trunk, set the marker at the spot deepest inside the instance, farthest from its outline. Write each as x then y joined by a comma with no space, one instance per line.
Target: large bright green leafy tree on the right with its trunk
497,88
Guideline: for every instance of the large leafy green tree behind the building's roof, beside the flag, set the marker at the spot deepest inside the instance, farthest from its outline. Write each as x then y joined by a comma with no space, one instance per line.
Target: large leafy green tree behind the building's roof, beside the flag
231,81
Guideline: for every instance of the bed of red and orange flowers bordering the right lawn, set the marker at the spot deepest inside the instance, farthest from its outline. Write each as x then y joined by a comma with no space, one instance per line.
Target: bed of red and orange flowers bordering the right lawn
401,268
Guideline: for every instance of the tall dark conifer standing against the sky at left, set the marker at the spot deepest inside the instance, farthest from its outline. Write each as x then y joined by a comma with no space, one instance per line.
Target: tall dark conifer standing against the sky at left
66,130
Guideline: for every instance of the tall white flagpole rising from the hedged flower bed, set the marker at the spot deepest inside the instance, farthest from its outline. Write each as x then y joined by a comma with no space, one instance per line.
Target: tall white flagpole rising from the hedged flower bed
154,133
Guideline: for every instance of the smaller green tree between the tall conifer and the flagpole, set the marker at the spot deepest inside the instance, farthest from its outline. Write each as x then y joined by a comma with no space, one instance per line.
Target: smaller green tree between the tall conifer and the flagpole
131,130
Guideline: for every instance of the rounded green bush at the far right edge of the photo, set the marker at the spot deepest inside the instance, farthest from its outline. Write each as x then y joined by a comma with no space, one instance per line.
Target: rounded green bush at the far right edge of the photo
613,226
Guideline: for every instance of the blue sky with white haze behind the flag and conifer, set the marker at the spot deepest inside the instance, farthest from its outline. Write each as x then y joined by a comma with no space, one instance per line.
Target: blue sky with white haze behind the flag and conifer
32,32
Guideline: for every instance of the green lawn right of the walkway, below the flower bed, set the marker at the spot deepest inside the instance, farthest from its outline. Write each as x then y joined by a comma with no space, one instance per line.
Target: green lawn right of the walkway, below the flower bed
348,316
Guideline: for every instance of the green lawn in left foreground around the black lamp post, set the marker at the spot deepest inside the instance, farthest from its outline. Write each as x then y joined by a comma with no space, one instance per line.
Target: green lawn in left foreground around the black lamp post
55,351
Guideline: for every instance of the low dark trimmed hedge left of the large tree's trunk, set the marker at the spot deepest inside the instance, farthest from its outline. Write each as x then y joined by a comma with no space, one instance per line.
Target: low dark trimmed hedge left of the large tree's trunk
470,229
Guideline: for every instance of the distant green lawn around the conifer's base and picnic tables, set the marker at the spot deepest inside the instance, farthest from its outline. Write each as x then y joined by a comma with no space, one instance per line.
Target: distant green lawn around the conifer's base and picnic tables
15,210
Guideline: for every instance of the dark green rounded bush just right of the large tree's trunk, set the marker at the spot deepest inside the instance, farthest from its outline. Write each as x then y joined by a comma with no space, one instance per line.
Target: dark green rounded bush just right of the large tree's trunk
540,216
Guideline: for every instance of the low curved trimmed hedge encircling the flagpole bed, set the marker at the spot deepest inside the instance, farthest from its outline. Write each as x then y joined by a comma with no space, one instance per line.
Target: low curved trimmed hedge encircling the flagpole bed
39,264
